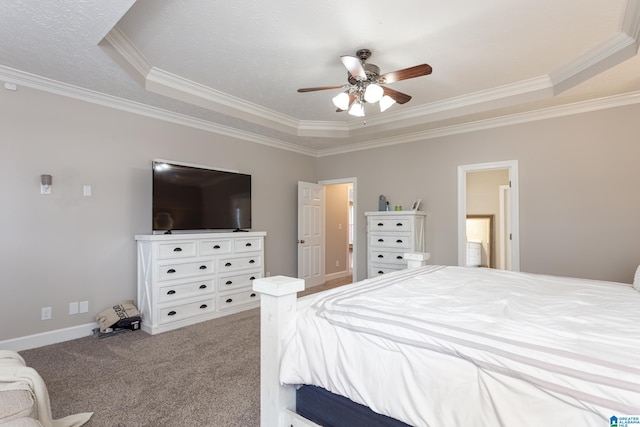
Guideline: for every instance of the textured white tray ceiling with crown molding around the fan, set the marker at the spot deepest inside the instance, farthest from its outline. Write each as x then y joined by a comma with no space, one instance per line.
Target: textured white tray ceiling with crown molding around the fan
237,65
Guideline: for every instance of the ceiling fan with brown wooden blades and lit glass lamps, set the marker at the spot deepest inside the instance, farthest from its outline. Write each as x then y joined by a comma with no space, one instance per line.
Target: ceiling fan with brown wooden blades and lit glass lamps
365,84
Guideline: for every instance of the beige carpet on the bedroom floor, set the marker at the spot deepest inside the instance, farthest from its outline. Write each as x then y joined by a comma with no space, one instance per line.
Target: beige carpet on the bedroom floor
201,375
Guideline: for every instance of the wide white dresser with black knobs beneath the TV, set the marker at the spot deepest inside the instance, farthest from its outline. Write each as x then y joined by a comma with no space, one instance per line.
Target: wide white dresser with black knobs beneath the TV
188,278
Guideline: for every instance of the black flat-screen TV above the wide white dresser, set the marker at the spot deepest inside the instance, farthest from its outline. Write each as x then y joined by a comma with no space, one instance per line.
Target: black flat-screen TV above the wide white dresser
189,197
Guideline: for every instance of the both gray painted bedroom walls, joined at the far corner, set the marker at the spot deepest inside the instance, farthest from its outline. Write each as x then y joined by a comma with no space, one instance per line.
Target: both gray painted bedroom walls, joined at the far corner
578,196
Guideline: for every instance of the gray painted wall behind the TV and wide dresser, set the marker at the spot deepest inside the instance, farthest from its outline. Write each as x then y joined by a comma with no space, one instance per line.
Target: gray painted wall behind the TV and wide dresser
64,247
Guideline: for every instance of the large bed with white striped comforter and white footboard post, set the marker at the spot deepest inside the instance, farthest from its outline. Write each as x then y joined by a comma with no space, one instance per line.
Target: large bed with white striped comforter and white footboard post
454,346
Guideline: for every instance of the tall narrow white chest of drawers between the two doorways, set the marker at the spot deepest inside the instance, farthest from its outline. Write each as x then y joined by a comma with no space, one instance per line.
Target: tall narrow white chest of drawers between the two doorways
389,235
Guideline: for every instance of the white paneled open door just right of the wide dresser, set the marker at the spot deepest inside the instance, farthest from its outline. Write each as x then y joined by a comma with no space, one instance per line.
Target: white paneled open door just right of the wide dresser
311,233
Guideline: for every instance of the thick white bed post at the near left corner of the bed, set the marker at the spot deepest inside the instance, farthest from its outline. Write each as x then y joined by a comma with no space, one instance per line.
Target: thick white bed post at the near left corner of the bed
277,320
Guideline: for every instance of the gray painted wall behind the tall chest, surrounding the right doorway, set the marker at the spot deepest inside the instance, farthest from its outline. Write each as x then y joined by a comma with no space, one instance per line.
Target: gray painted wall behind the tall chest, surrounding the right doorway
579,199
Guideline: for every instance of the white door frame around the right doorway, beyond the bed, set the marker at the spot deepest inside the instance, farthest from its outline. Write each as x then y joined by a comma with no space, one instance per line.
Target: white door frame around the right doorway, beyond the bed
512,166
